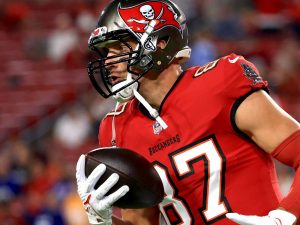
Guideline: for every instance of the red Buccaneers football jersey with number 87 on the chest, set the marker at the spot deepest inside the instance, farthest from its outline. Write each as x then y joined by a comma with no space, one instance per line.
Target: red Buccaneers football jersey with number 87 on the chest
207,166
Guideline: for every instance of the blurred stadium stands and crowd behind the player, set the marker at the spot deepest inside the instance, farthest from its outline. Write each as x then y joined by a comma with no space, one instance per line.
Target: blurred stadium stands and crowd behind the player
49,112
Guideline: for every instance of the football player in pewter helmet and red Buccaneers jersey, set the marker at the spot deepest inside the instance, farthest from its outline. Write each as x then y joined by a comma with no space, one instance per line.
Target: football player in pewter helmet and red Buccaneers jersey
210,131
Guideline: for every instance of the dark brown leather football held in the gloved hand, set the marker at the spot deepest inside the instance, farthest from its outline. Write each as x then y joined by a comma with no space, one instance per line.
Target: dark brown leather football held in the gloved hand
145,186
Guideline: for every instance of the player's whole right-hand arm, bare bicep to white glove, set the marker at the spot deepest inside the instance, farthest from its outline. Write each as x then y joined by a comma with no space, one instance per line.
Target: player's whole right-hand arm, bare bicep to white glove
271,128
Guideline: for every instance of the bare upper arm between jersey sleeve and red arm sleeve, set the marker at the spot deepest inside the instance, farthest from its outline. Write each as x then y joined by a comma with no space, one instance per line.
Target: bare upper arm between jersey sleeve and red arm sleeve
264,121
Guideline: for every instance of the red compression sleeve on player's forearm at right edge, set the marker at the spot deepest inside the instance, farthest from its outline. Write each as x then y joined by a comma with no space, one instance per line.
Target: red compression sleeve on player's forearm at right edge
288,152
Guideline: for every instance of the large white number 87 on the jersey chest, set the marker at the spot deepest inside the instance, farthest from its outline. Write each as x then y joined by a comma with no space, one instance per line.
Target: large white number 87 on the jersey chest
214,202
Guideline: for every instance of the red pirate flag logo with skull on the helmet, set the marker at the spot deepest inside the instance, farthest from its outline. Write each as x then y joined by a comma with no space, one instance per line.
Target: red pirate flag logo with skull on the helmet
138,17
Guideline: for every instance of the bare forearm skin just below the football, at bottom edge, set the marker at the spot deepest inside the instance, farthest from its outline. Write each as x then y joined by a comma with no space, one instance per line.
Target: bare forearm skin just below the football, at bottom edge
148,216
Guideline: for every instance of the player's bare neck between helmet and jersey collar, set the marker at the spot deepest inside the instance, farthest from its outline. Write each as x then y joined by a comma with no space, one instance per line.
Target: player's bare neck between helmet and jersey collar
155,90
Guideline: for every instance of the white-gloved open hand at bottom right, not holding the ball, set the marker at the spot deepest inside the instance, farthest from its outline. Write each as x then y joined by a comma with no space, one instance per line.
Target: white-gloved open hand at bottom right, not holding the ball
275,217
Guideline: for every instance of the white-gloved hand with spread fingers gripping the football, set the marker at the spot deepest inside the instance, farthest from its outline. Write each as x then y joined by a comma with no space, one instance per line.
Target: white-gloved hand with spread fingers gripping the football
97,205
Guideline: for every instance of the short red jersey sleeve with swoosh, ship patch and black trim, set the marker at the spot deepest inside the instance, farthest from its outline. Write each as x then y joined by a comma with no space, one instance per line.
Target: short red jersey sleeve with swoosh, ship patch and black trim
239,78
